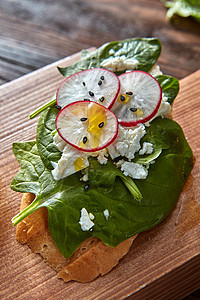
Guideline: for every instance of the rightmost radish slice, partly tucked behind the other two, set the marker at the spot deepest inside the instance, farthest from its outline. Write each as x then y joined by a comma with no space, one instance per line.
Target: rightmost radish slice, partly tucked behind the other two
139,98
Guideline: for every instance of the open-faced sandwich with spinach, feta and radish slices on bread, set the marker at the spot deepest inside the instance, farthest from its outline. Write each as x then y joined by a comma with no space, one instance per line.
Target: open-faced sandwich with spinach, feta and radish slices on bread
108,162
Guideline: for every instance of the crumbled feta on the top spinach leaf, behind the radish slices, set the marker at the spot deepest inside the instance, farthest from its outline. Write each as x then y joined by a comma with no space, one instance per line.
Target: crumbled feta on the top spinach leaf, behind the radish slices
119,63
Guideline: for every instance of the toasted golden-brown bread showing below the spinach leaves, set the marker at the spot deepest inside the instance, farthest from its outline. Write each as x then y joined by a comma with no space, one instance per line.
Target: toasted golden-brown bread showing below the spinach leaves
91,259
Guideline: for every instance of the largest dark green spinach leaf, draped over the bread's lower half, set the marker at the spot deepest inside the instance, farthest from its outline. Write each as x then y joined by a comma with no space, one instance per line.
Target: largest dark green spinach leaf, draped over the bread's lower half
64,199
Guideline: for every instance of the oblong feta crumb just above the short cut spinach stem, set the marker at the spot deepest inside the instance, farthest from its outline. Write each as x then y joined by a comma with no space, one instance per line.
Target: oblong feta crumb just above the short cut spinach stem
134,170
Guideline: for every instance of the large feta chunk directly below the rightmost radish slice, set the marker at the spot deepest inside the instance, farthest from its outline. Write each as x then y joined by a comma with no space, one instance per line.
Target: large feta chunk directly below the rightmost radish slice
127,142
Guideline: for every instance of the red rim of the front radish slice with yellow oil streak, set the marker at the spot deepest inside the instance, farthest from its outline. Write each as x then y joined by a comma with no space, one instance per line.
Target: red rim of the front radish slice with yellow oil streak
94,149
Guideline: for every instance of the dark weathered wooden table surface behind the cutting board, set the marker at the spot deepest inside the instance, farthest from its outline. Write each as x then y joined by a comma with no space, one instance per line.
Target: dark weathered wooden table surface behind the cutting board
36,33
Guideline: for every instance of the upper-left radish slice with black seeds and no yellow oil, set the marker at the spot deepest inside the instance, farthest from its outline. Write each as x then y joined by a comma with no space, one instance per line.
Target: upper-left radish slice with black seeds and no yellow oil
98,85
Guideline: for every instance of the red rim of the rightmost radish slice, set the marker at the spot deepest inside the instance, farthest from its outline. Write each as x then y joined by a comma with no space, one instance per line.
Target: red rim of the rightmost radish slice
149,117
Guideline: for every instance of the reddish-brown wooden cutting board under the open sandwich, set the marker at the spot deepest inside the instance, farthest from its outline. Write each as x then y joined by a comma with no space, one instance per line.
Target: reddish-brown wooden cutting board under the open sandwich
163,263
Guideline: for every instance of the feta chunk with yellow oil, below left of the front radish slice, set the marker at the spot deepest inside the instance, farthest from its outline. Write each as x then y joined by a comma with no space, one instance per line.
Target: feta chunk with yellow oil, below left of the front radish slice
65,165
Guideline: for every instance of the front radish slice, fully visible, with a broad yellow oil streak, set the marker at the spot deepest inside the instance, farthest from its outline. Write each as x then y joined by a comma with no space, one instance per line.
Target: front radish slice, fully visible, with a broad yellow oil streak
87,126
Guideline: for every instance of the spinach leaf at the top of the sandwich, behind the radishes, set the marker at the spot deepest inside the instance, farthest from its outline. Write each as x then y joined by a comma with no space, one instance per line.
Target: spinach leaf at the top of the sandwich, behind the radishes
145,50
